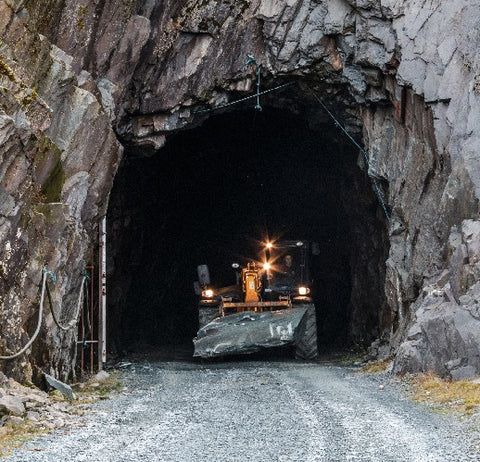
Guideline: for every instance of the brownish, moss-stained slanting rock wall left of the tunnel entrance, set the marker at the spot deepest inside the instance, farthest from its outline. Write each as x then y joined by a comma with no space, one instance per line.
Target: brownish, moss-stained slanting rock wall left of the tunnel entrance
58,158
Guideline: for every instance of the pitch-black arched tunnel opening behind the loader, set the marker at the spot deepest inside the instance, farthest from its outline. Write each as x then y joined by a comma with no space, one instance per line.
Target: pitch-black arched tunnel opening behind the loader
211,195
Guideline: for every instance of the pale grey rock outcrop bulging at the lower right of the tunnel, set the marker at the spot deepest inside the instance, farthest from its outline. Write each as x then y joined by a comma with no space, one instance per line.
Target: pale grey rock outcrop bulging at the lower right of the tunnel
444,335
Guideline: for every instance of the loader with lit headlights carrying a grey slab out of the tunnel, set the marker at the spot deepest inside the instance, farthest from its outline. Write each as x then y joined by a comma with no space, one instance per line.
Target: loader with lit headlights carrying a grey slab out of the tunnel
269,305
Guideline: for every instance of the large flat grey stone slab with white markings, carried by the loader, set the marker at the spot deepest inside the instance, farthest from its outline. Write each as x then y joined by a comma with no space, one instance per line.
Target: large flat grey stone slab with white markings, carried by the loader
247,332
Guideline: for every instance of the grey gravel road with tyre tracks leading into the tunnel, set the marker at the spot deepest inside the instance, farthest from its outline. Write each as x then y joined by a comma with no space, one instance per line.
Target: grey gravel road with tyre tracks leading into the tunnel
257,411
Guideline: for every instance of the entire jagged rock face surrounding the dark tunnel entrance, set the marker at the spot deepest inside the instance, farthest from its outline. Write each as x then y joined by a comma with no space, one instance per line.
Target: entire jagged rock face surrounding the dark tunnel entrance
405,72
